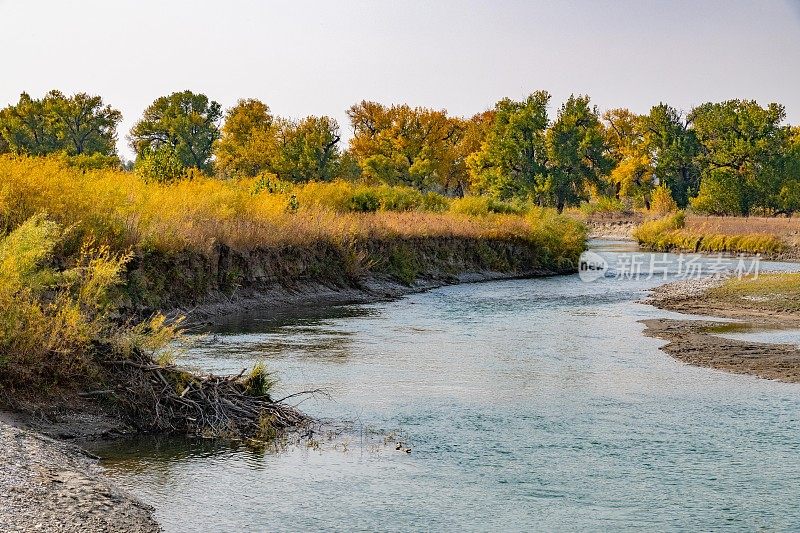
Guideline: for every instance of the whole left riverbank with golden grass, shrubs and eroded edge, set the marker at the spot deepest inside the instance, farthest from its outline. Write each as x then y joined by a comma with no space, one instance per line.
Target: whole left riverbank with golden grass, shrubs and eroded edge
90,258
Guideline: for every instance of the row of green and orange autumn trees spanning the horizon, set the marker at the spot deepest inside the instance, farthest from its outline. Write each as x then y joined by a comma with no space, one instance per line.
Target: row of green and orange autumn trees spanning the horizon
729,158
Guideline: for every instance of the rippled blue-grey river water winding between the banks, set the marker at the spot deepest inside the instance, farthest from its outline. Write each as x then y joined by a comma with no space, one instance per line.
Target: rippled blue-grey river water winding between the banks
527,404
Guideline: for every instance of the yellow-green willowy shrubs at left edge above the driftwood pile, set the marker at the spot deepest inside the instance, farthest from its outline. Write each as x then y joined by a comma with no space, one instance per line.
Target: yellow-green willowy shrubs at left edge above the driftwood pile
51,321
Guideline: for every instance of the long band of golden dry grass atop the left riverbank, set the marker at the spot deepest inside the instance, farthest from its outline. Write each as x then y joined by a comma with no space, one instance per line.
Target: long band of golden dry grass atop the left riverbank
124,212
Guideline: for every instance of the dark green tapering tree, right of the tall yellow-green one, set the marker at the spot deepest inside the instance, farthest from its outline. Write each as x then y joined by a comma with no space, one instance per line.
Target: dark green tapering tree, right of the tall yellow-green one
576,153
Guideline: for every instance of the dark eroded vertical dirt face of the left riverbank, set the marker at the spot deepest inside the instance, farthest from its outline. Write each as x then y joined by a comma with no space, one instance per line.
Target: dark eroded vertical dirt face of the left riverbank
203,286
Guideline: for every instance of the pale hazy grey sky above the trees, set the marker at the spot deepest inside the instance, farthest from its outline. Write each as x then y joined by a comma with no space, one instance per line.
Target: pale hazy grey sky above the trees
319,58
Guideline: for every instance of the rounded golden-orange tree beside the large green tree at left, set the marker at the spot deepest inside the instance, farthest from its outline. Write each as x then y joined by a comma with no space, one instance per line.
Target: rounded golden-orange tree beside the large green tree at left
248,144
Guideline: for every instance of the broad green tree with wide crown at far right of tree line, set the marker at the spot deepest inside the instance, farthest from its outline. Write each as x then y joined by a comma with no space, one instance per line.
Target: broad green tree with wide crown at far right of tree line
743,149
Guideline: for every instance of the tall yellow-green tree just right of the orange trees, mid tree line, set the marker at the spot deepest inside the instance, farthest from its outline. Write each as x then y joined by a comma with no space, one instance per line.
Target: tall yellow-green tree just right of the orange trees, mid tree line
512,159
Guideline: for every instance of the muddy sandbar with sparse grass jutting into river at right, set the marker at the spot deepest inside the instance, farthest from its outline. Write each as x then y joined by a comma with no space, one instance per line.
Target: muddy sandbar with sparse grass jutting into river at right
695,342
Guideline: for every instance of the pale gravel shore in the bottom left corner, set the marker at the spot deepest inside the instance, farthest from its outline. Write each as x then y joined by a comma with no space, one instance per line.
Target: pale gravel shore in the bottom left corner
46,485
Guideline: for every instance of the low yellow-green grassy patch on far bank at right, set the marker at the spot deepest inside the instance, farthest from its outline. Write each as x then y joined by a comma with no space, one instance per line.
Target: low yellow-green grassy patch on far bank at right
677,232
